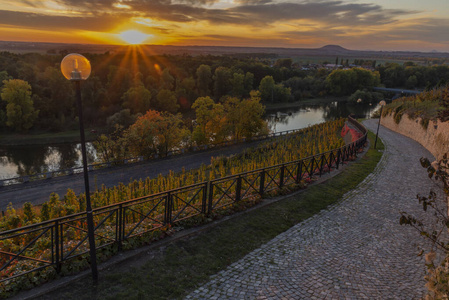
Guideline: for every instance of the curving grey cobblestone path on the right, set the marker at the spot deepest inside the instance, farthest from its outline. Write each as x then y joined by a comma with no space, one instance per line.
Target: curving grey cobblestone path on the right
354,250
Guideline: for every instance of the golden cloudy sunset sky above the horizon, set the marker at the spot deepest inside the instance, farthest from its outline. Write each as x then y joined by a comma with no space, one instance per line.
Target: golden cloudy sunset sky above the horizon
364,25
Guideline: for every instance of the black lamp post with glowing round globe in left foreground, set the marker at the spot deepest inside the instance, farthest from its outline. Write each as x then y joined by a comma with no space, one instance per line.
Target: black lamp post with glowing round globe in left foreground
76,67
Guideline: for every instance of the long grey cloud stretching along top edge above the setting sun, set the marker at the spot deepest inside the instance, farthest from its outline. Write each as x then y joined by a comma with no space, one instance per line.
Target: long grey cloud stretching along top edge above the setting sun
249,12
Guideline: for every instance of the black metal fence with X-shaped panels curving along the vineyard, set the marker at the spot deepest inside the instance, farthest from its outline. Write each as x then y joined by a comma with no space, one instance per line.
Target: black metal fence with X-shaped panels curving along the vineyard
53,243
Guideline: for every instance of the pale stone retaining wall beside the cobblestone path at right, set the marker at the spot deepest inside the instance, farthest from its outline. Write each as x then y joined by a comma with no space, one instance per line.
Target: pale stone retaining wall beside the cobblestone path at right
435,138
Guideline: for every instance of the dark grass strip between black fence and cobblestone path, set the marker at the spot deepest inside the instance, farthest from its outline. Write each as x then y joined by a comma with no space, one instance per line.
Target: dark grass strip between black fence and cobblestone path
186,264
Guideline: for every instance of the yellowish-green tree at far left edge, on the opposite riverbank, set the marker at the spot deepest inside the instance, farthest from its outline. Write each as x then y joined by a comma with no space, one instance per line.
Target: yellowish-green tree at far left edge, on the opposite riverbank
20,111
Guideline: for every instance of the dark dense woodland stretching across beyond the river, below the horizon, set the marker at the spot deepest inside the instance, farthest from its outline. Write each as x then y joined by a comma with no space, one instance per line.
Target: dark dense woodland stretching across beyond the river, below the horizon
124,86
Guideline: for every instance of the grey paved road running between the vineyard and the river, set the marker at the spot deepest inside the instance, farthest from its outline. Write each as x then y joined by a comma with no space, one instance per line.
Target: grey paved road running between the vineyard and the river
37,192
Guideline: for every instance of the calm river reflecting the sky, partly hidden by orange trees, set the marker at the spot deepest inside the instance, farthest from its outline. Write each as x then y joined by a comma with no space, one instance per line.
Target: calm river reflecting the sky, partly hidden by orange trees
24,160
